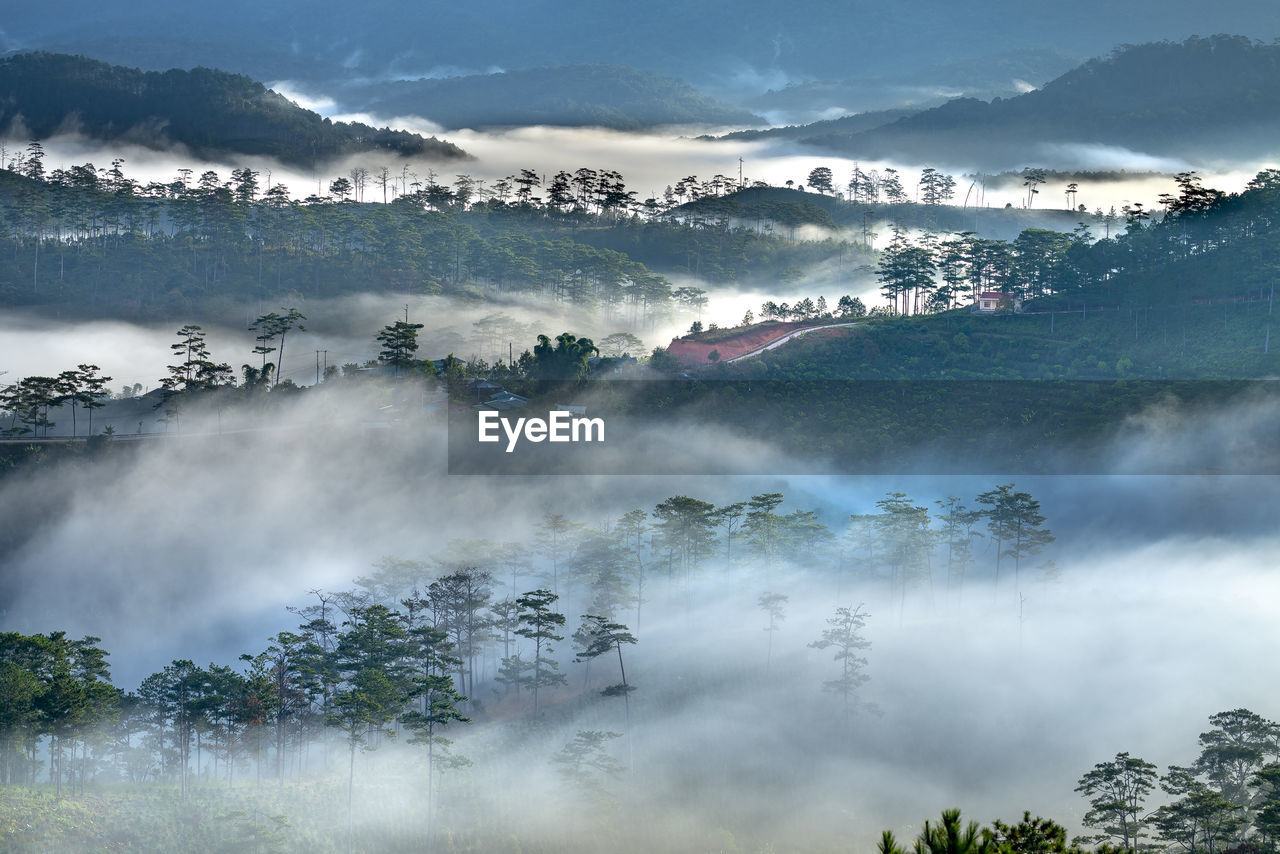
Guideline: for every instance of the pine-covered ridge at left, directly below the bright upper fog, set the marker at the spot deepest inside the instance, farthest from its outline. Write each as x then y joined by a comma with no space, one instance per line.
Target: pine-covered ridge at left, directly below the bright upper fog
99,239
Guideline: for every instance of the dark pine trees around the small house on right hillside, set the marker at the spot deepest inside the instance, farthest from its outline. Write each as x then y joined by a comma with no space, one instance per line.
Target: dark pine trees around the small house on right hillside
1173,259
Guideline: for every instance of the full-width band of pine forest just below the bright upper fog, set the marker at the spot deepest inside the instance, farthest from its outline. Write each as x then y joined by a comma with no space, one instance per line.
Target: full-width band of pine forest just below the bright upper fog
95,238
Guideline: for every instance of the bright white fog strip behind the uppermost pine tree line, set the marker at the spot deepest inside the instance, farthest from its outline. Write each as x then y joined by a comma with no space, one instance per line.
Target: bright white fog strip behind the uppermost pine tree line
653,161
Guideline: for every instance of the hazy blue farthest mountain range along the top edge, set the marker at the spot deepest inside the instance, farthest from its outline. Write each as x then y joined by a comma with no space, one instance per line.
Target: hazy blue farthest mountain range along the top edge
724,48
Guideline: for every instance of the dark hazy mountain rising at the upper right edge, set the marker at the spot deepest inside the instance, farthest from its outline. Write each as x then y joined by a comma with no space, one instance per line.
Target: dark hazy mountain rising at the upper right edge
1213,98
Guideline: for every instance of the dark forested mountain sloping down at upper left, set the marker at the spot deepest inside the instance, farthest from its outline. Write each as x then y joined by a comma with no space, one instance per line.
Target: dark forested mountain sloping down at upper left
209,112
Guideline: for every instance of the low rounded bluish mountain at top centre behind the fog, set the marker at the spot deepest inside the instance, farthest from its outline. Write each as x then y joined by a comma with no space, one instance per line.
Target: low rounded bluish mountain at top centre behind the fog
580,95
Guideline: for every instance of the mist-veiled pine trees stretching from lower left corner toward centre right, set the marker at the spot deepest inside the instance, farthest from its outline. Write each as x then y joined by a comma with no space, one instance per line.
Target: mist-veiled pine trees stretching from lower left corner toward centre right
446,655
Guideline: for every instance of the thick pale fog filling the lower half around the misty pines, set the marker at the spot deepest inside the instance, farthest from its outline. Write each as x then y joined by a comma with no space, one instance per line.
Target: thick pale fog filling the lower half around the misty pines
990,698
